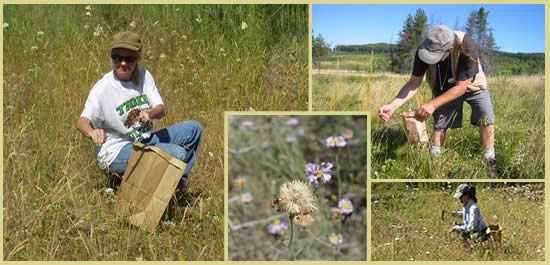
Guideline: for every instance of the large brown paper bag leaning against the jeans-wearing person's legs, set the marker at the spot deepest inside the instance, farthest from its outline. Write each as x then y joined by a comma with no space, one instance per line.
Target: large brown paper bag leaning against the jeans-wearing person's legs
149,182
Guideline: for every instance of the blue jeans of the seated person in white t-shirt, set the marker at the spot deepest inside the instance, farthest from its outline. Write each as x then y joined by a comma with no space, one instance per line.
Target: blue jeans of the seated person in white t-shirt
181,141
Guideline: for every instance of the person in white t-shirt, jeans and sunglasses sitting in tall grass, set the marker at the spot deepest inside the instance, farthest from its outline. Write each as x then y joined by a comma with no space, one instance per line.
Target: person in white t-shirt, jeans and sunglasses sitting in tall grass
121,107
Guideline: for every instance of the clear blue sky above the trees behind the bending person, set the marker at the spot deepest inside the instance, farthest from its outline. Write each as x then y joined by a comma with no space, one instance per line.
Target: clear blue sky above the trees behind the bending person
517,28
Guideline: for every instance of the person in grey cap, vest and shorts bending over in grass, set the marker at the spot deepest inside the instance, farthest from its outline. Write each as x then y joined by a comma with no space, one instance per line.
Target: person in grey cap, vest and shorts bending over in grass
455,75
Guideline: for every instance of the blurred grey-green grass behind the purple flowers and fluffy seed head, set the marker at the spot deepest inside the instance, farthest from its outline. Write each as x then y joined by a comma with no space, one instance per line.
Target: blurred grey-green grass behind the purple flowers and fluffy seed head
265,153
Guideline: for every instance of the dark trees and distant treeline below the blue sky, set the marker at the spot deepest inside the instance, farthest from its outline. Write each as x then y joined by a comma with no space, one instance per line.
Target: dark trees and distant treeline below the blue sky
400,56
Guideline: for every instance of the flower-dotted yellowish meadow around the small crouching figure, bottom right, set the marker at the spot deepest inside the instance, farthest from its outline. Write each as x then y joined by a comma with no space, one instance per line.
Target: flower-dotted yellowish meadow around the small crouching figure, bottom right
407,224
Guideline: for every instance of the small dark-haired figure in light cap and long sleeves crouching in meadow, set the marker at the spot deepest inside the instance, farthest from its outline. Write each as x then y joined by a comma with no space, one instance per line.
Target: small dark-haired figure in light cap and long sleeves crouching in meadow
473,226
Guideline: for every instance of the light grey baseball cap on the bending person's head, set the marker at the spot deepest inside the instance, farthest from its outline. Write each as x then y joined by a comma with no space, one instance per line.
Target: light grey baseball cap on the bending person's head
439,39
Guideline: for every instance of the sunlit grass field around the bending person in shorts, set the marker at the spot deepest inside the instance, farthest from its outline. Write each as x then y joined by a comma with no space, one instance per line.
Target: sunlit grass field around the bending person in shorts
518,103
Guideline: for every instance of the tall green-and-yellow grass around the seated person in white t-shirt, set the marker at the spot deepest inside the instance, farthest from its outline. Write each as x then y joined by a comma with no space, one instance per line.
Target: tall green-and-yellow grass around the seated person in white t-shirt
205,59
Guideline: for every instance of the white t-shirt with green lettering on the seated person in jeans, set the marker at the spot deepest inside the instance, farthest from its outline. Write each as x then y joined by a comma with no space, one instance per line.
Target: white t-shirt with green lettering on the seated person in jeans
108,105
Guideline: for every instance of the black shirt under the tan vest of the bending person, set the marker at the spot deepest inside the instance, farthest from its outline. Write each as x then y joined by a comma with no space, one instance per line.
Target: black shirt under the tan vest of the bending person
466,68
